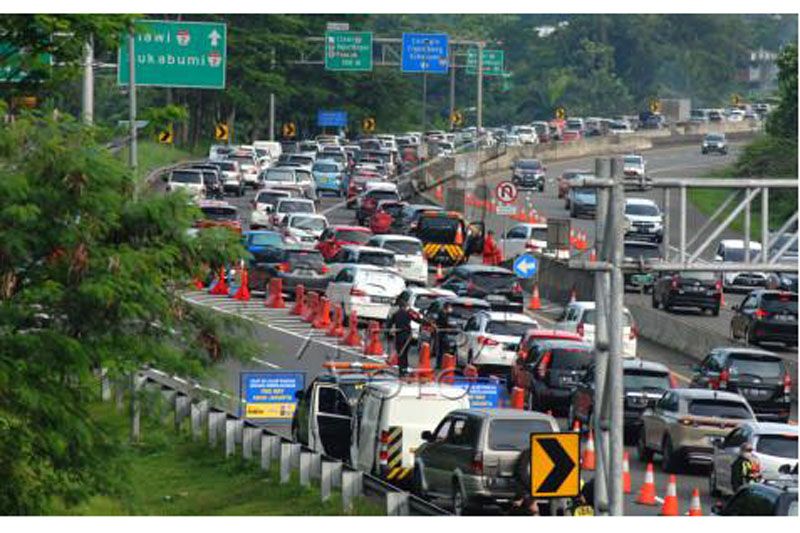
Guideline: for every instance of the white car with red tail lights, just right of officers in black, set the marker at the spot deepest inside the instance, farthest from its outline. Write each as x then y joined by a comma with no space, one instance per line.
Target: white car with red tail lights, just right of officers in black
490,339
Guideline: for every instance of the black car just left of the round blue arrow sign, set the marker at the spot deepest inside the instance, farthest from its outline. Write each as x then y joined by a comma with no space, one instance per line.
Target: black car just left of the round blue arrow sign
498,286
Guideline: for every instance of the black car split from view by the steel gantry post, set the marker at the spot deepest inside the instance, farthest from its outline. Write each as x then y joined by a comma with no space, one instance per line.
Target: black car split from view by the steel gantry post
643,382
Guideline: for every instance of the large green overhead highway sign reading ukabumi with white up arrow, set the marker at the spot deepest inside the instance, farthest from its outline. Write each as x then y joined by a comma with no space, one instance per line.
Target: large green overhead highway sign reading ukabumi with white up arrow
176,54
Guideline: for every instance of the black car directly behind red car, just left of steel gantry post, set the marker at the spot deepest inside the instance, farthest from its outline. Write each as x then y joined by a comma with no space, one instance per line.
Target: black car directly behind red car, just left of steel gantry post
554,369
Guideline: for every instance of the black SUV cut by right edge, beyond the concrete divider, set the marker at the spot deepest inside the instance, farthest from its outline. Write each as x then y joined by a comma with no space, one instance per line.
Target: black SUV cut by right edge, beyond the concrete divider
766,316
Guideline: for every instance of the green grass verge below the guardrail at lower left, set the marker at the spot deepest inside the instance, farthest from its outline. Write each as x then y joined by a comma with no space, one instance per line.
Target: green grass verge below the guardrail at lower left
169,474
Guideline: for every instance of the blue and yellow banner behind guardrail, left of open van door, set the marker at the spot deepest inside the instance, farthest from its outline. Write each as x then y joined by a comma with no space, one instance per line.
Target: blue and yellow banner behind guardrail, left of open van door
271,396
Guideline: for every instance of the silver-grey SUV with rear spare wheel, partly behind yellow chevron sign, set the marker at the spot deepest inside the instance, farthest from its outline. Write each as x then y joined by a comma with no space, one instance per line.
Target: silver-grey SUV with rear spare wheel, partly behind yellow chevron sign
471,457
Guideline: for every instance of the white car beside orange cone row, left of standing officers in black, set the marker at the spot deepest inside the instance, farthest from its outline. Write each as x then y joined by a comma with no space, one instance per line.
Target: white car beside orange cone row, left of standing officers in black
368,290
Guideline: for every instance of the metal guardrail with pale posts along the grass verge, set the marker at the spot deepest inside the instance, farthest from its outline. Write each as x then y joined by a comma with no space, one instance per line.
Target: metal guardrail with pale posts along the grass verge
217,414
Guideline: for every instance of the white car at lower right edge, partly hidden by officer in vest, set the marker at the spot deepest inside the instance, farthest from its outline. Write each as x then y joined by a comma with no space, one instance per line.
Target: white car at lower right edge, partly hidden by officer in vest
774,445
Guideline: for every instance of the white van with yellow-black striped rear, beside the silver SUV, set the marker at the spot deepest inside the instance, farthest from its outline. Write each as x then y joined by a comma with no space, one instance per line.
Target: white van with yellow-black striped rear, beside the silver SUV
390,417
